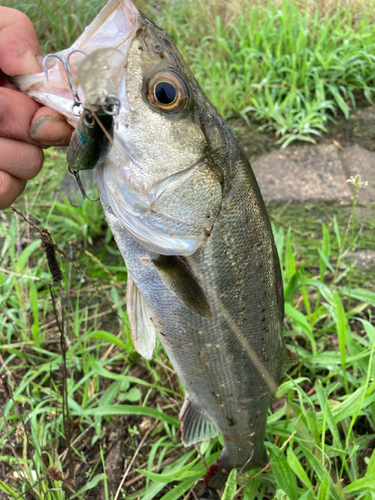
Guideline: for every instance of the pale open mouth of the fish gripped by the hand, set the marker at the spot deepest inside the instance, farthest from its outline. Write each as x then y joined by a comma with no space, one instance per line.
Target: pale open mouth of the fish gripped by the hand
115,26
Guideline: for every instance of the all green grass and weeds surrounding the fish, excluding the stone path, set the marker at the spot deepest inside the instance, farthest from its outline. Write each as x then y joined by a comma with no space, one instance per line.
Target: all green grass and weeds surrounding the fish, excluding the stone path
82,415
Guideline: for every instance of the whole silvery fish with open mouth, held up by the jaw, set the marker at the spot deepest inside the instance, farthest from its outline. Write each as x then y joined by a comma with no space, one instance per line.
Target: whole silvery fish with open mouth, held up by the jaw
187,214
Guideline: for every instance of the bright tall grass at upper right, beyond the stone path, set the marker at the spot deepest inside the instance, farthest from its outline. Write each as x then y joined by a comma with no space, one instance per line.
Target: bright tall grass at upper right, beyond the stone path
284,65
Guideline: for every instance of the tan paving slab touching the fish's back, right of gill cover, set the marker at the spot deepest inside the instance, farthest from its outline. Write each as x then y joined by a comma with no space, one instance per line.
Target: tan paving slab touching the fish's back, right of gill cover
302,174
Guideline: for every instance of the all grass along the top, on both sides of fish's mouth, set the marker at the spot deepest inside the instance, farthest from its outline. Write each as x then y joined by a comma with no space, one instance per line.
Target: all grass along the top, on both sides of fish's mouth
289,66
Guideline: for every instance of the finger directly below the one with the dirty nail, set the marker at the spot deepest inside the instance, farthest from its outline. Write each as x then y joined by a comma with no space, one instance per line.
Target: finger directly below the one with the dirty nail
20,159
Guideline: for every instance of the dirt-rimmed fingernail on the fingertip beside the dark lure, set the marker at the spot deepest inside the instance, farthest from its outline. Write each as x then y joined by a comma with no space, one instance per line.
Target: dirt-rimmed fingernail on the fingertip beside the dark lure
50,131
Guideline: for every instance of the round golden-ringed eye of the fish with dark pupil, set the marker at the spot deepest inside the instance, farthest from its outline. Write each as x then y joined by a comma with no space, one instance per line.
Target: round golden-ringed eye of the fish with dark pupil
167,92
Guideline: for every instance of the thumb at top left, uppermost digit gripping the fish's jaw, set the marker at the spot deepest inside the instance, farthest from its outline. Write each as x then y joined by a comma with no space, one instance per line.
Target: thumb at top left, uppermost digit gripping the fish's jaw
19,47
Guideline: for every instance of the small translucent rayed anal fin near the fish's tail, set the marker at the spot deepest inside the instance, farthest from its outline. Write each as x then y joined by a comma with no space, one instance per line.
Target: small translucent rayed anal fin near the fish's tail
195,426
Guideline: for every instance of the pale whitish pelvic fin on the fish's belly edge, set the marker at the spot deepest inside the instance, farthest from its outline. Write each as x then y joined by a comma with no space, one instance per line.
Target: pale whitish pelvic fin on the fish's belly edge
142,329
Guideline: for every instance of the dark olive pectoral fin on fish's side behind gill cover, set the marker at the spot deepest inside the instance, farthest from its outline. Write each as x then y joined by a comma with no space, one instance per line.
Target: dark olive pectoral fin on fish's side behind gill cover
179,279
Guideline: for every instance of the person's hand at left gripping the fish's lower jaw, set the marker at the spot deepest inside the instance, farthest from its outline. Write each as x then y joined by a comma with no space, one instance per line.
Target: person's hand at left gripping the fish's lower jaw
25,126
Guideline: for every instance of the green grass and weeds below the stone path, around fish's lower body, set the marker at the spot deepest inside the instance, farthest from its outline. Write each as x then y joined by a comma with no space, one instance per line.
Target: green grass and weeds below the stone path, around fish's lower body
320,430
